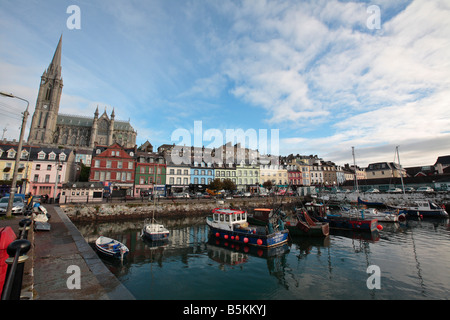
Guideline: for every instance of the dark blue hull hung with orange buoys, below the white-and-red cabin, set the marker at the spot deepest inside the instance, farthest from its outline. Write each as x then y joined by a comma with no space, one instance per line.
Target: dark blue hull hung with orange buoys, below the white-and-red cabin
254,239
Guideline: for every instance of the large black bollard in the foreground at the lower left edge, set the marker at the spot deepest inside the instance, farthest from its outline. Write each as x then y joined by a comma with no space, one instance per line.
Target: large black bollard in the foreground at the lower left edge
17,256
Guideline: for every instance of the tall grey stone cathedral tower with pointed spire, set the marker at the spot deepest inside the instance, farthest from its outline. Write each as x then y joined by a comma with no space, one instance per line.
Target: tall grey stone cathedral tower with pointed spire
43,124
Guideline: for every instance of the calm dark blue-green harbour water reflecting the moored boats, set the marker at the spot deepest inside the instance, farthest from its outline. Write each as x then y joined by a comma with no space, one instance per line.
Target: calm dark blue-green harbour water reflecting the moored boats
413,259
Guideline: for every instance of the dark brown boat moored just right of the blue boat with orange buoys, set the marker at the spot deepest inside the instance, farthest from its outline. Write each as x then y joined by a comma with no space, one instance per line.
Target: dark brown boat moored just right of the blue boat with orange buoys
301,224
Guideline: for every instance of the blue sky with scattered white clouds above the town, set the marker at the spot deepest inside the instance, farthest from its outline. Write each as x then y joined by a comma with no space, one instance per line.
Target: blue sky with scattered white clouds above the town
305,77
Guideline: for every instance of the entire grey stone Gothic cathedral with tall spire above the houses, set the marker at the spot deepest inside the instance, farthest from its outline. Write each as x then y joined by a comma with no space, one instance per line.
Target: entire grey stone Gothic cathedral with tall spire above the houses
50,128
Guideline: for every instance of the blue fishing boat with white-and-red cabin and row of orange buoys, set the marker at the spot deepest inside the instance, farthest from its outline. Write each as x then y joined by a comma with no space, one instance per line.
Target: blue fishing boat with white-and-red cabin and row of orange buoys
232,225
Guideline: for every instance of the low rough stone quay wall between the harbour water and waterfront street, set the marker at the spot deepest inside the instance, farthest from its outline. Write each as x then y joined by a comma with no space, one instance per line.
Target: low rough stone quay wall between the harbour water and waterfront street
167,208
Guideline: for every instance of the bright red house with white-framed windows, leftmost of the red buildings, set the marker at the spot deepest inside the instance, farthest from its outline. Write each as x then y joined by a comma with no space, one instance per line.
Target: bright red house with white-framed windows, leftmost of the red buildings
114,166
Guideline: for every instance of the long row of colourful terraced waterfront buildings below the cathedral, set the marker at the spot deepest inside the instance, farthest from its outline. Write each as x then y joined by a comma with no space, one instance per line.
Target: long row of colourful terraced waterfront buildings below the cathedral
44,170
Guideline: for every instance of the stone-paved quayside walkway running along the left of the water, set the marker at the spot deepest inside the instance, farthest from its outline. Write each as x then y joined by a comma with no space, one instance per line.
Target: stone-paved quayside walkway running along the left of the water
63,266
